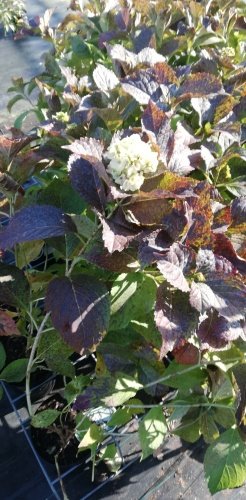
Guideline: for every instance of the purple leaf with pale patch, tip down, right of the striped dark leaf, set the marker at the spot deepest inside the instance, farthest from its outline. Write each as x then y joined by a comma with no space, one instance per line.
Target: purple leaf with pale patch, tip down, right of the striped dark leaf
174,317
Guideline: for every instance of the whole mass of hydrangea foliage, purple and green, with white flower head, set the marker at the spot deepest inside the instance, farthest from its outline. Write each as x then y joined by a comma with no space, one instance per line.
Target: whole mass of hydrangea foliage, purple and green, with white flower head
140,157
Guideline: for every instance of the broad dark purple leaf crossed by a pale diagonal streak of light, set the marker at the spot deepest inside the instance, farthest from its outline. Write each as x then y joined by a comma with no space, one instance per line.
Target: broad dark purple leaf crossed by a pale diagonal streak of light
79,310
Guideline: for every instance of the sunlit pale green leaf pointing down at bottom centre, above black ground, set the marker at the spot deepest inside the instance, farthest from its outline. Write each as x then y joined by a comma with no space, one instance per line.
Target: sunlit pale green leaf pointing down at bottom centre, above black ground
152,430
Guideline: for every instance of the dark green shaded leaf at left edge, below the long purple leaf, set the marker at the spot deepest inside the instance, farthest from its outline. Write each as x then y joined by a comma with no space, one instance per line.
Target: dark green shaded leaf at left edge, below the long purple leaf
14,287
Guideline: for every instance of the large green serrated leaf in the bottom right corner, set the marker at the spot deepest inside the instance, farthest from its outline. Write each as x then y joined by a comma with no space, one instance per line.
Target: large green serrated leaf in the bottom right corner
225,462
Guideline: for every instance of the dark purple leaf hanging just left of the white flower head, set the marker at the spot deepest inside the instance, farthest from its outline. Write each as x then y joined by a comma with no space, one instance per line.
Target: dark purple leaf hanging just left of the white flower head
86,174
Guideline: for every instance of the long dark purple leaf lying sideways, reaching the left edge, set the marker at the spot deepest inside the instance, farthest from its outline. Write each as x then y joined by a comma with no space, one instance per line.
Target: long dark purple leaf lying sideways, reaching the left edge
36,222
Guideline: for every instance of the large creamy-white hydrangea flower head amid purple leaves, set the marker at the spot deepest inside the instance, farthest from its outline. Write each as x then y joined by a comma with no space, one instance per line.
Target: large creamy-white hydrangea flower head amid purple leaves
130,159
